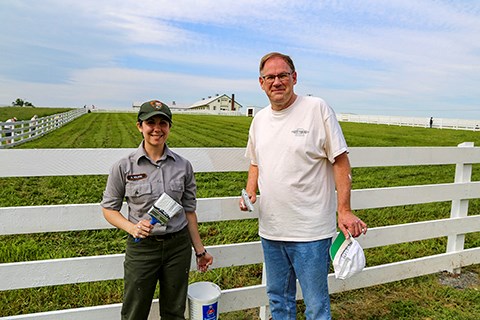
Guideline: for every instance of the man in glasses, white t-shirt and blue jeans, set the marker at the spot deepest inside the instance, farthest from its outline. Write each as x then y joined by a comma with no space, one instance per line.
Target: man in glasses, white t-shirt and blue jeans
298,158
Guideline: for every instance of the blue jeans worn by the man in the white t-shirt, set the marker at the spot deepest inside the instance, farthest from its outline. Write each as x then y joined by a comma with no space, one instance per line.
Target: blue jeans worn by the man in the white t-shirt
308,262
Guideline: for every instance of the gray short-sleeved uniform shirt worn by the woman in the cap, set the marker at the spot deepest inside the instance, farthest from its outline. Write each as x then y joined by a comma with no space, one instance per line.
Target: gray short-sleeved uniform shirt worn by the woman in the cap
142,181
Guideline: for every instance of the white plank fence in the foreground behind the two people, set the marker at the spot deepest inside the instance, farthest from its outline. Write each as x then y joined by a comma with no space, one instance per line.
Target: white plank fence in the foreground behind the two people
56,218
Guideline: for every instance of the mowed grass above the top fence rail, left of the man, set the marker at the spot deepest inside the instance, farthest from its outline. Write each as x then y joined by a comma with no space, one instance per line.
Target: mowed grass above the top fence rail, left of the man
118,130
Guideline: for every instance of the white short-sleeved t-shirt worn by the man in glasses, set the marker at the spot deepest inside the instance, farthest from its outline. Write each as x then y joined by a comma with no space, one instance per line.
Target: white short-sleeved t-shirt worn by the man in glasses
294,150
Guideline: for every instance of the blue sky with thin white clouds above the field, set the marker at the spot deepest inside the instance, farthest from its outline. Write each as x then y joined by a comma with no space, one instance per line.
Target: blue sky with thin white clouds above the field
415,58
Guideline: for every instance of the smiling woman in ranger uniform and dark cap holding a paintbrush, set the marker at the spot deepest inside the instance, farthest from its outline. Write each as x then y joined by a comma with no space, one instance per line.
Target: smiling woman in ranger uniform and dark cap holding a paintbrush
155,253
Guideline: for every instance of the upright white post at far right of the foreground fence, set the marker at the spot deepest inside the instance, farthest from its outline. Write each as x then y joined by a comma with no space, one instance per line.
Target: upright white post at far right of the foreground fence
463,173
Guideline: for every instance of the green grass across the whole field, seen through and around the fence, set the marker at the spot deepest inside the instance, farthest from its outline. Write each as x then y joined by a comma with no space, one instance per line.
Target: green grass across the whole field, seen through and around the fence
420,298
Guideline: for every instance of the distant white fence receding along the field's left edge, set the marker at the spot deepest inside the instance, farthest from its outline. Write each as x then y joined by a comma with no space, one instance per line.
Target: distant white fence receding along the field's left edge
26,130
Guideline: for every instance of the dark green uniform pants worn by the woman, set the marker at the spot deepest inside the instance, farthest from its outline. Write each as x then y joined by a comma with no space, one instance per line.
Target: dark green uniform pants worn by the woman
155,259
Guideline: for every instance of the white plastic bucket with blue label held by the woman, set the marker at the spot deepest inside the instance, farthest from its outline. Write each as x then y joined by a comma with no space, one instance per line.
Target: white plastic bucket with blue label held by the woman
203,300
